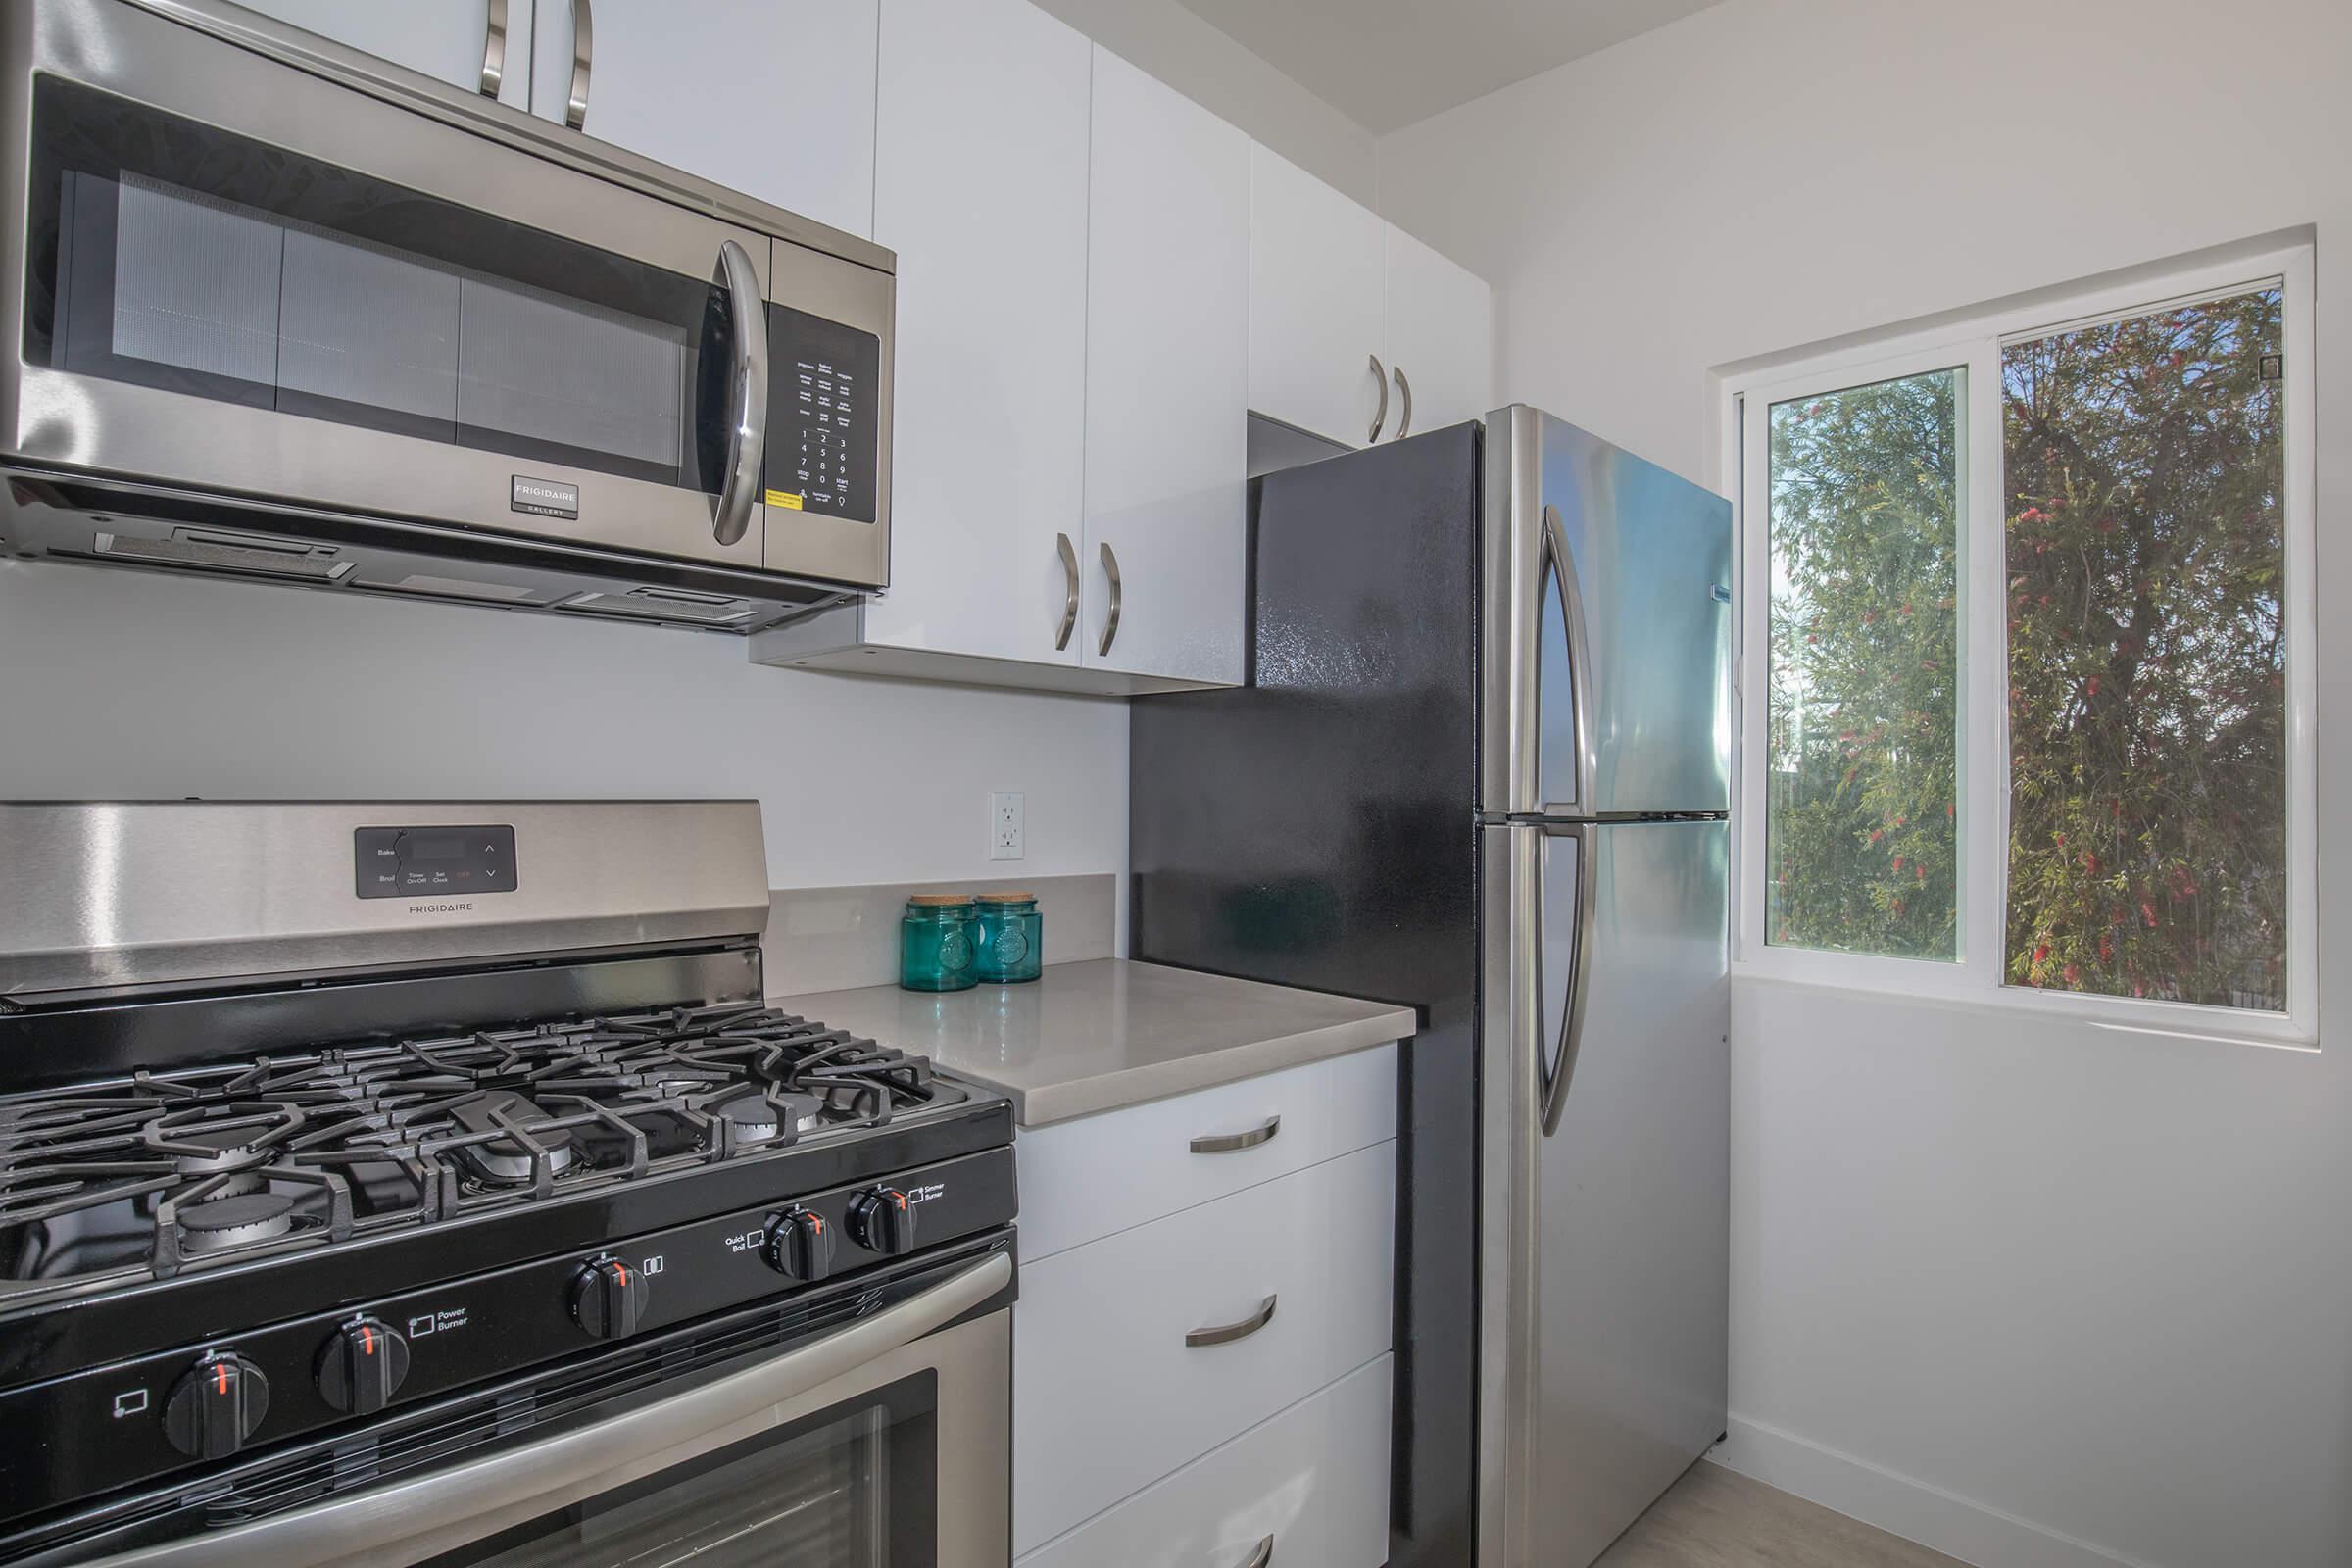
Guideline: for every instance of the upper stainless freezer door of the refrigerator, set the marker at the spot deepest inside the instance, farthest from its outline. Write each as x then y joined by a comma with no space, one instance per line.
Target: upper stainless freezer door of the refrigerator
1605,657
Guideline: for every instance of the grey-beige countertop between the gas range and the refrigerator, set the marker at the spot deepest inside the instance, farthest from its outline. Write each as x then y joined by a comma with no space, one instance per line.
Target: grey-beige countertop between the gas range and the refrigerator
1109,1033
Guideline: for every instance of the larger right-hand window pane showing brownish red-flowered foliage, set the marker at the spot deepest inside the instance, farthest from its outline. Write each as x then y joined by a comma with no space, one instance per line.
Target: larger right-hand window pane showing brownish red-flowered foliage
2146,467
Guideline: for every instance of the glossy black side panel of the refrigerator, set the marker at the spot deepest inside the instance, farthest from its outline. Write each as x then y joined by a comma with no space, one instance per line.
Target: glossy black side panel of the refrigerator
1316,829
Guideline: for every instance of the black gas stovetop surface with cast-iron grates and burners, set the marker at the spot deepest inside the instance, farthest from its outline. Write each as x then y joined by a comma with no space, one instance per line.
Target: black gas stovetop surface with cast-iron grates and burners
154,1174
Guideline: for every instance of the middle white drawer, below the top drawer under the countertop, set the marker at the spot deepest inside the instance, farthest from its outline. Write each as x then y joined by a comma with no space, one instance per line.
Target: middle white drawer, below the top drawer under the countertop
1109,1395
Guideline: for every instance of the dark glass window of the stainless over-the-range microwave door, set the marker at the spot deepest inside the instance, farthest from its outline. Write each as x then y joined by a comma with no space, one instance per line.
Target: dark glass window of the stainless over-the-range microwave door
175,255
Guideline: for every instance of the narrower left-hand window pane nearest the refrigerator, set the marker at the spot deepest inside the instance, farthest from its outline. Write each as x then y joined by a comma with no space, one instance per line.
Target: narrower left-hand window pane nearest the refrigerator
1862,746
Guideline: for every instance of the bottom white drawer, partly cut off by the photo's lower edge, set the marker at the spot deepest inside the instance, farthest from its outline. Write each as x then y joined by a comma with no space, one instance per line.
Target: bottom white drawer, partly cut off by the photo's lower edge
1314,1477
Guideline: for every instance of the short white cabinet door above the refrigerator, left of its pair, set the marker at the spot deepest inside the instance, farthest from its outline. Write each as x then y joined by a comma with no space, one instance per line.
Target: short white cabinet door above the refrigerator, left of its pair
1316,302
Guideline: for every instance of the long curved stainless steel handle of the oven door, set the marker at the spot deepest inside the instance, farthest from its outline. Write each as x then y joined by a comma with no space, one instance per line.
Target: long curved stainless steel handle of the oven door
566,1468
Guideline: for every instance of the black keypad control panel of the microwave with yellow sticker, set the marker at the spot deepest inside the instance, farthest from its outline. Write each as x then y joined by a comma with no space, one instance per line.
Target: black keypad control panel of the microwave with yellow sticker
822,417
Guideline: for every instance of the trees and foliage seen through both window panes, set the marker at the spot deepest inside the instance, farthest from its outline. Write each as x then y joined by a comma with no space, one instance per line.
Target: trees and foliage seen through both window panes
2146,662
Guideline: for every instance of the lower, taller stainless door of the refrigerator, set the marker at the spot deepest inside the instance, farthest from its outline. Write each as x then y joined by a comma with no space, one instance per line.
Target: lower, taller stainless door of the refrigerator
1605,1179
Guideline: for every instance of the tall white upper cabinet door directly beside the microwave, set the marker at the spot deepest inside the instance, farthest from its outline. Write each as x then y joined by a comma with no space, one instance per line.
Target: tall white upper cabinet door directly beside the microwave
982,189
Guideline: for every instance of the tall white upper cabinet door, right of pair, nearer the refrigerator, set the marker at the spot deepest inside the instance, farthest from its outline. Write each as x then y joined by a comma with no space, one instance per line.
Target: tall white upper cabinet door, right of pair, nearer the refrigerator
1168,375
